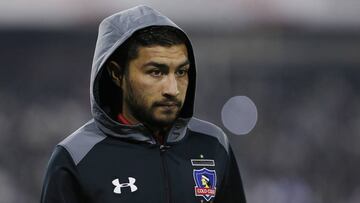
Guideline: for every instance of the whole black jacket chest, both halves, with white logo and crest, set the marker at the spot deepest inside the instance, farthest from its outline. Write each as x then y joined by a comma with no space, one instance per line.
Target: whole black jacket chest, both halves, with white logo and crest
128,173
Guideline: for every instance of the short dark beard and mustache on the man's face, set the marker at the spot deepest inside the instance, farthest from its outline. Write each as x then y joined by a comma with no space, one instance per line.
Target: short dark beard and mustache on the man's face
136,103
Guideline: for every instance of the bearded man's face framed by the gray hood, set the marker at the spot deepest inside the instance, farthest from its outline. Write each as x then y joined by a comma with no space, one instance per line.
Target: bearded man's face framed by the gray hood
155,85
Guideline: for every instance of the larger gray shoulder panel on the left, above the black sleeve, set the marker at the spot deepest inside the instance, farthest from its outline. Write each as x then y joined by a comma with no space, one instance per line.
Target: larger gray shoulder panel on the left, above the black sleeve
80,142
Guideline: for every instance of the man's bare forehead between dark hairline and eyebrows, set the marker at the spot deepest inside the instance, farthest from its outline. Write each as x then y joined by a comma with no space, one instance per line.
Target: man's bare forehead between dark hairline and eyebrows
175,53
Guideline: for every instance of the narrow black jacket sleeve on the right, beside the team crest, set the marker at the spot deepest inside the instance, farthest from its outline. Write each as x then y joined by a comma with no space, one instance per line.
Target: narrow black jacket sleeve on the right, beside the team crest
232,189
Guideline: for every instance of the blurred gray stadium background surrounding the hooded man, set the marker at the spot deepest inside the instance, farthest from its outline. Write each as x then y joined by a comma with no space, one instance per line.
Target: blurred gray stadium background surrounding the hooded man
298,60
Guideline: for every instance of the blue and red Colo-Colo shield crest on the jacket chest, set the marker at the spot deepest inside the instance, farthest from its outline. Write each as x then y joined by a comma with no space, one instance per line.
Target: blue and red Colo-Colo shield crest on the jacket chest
205,181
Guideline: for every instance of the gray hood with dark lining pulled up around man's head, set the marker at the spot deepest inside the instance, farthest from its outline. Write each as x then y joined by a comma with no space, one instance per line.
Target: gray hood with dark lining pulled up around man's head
104,95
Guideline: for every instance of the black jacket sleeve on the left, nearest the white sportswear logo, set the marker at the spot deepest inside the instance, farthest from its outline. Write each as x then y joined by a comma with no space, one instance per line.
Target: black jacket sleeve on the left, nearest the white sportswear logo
60,183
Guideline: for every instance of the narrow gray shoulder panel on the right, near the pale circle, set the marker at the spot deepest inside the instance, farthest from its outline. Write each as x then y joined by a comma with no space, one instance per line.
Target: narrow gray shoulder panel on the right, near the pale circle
204,127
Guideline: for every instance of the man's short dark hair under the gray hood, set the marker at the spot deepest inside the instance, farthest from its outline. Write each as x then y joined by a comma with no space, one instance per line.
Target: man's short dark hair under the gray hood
149,36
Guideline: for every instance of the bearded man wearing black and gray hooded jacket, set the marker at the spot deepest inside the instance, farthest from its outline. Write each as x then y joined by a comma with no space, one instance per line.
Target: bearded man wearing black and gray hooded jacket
143,144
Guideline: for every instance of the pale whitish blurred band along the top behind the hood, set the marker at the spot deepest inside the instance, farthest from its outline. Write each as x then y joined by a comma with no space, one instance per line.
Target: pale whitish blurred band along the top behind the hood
308,13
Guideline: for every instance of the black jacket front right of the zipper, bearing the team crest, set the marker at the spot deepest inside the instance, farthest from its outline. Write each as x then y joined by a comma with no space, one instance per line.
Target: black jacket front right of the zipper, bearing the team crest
194,174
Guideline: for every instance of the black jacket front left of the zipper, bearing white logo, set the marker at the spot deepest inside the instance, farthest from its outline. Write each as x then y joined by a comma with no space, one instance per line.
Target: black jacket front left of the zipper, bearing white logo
123,175
